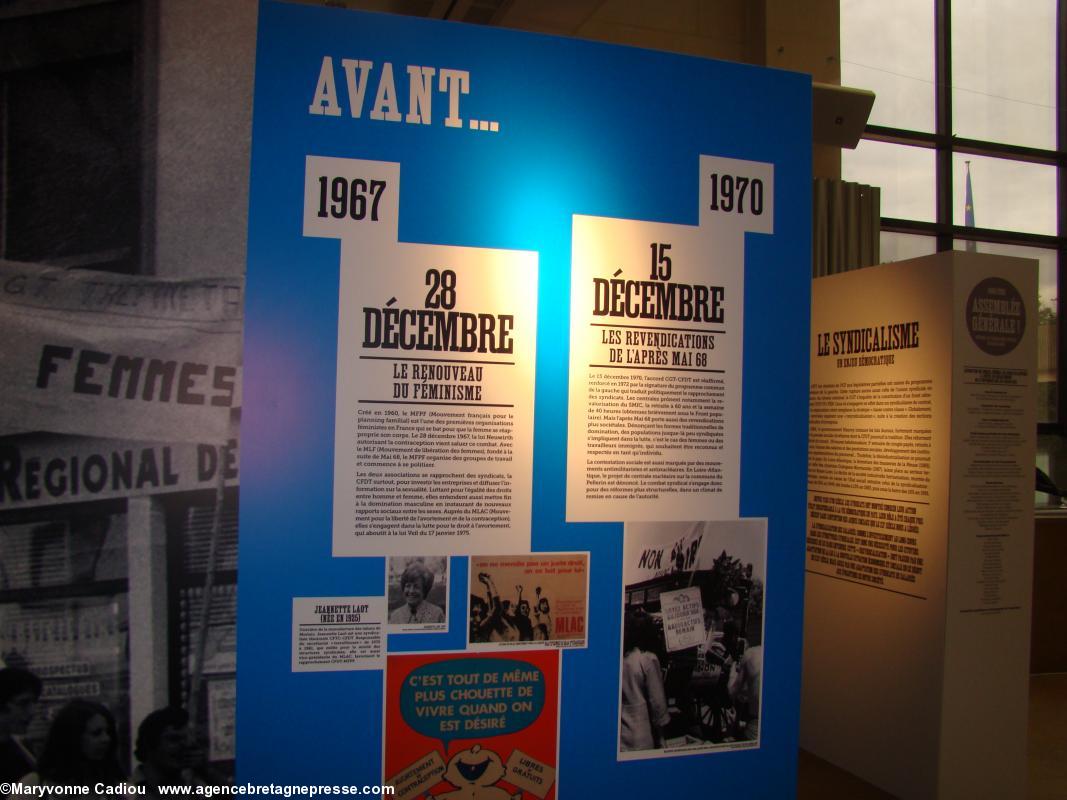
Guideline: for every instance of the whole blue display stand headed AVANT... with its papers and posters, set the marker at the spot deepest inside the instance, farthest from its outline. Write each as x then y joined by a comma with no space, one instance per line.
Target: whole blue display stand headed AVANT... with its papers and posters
525,414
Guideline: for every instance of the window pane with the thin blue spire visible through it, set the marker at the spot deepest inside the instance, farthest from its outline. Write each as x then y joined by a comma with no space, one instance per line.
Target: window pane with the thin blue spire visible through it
1009,196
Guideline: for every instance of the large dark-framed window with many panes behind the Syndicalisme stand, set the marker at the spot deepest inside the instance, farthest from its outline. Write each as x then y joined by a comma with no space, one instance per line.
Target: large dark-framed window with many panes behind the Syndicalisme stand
967,139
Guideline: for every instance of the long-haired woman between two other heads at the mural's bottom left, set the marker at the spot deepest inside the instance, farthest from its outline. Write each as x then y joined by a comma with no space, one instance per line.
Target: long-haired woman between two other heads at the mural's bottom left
82,749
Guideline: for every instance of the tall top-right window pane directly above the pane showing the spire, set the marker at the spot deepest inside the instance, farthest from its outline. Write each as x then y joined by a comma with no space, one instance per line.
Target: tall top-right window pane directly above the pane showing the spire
1004,71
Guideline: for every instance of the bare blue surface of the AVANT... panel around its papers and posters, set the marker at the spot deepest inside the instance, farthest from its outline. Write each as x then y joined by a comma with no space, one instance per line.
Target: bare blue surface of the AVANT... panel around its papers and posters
570,129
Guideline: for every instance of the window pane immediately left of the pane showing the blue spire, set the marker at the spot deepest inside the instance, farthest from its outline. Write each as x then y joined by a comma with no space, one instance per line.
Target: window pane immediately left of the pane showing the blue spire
905,174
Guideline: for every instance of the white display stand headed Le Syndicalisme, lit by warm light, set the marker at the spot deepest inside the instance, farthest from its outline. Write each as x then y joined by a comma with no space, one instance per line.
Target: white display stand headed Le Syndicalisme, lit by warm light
920,524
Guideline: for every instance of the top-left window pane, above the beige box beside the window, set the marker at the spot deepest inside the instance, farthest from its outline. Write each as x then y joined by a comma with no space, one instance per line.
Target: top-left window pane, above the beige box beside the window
893,55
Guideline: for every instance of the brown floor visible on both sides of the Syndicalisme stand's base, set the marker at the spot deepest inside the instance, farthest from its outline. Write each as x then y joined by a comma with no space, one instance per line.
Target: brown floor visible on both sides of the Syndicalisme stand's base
1047,779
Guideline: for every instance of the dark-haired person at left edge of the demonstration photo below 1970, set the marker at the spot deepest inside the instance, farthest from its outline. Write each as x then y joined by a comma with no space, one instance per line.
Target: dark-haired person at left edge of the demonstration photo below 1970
644,713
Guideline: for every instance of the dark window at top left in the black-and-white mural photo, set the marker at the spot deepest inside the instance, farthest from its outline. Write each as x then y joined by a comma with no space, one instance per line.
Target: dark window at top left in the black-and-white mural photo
70,135
